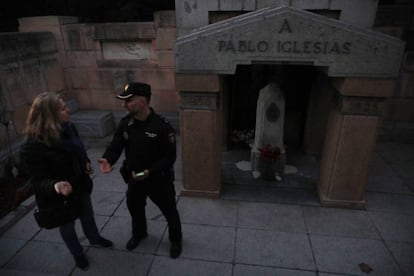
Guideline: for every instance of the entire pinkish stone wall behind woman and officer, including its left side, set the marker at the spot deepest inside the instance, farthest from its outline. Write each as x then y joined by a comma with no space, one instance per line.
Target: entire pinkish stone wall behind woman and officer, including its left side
89,63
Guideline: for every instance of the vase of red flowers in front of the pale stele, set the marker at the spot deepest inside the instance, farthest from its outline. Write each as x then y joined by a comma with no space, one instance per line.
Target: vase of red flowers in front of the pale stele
269,159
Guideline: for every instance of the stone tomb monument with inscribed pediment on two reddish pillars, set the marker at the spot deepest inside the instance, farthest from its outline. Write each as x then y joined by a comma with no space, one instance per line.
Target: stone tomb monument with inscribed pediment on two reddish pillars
343,74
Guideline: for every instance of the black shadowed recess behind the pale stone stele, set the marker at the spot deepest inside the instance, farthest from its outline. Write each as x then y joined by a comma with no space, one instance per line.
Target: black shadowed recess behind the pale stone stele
244,87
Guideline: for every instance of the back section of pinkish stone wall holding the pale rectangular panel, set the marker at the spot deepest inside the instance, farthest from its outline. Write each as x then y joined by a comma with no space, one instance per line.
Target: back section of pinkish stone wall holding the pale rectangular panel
98,59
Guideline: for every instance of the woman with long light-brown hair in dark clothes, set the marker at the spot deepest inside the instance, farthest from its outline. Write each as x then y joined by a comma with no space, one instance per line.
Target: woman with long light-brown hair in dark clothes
60,169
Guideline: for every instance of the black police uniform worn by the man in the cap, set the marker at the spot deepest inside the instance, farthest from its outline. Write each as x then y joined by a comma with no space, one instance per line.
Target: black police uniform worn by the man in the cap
150,145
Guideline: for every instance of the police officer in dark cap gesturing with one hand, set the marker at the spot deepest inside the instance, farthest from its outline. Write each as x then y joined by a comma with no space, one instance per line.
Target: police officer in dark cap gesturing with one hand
150,153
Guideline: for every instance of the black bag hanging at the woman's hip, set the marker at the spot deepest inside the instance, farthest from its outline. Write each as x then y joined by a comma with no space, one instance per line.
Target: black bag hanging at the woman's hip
53,217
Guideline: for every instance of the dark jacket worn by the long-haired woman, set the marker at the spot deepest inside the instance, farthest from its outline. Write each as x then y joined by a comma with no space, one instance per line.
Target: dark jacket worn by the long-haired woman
47,165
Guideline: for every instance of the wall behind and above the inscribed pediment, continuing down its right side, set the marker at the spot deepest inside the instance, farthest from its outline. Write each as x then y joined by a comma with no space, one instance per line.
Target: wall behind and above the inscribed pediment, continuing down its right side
394,18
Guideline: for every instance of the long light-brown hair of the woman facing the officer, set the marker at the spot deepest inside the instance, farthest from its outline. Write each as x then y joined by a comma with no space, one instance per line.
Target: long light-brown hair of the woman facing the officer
42,120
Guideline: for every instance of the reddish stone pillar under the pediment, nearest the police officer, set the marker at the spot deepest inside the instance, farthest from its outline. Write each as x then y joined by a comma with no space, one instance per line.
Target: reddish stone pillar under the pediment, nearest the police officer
201,134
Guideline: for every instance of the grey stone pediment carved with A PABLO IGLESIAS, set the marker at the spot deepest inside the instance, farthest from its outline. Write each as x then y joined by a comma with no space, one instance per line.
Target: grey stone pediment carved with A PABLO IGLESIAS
289,36
